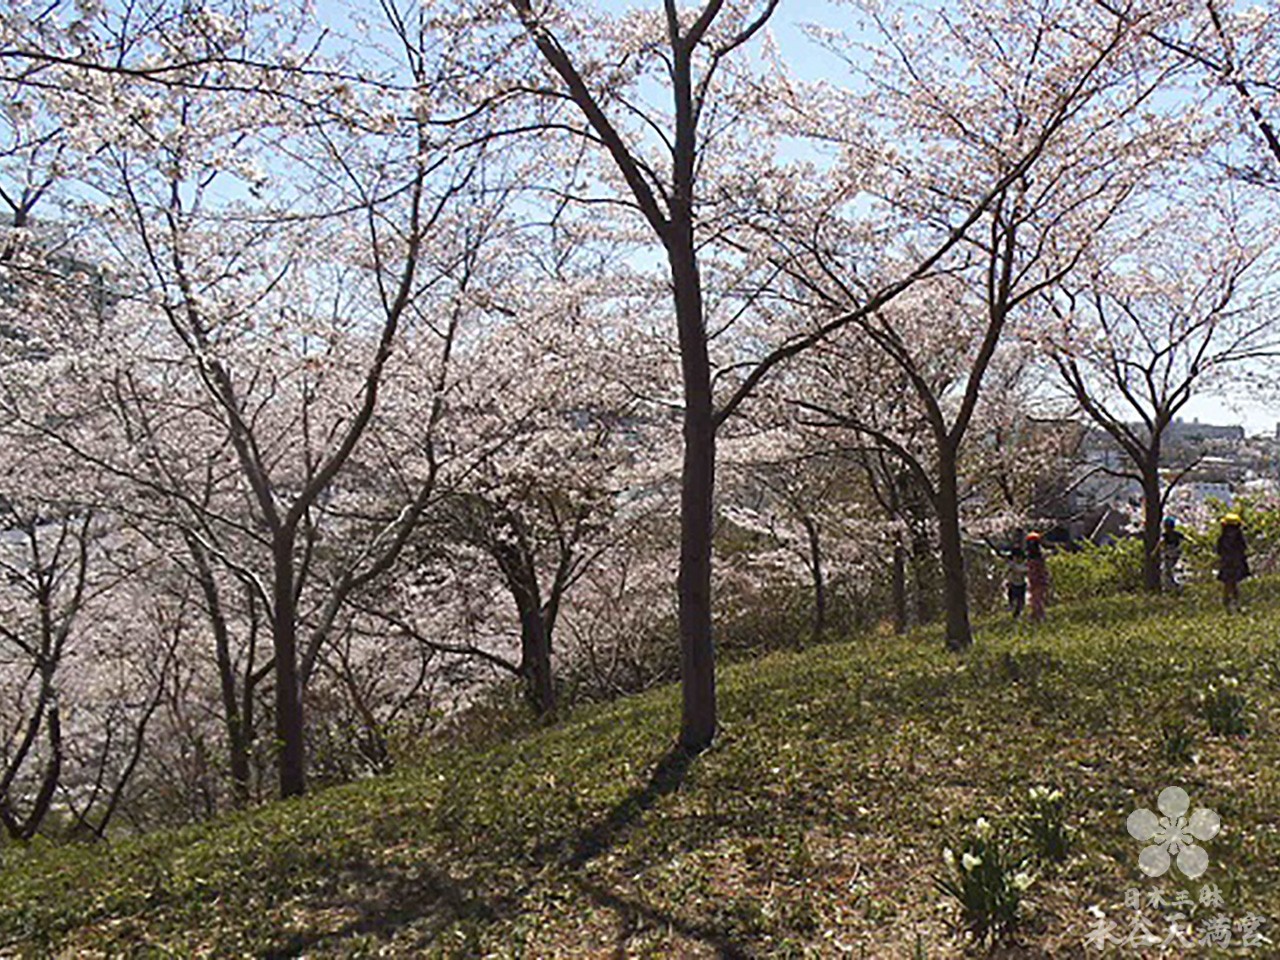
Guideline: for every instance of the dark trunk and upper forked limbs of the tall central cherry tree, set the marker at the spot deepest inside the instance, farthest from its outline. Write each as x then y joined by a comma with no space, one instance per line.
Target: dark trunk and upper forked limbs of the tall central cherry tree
693,47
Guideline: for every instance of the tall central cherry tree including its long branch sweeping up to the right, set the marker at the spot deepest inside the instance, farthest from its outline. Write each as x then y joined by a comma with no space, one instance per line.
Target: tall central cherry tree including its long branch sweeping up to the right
668,161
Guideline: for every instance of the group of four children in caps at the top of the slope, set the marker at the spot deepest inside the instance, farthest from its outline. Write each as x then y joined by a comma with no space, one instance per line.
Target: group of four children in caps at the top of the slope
1027,574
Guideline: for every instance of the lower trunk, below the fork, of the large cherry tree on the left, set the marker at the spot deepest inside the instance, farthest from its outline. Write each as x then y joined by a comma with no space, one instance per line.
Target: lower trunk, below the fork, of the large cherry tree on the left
289,696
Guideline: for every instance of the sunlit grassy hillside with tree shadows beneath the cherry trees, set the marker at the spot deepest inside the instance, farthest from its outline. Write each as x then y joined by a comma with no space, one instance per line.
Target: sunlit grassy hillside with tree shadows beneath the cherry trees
815,828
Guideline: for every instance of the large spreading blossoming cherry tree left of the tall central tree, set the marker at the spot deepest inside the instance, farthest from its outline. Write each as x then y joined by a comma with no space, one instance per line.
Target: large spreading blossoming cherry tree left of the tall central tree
262,330
